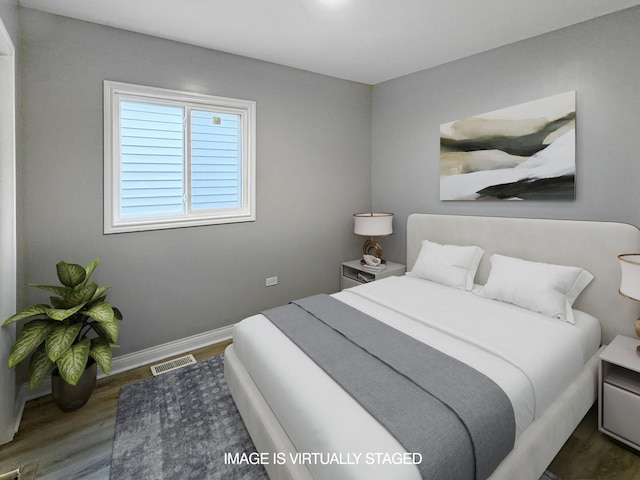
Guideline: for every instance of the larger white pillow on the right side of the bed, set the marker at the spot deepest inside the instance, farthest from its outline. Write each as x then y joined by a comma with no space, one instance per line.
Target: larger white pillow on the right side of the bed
541,287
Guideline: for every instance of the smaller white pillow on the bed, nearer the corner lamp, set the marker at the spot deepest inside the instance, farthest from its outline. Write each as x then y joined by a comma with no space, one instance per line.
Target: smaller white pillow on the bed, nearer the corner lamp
450,265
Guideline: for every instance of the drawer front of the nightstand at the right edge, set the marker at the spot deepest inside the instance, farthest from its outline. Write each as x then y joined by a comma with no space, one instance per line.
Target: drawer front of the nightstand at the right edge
621,412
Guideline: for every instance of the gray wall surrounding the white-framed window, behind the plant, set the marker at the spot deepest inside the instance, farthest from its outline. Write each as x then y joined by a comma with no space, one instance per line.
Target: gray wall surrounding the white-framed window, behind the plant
313,172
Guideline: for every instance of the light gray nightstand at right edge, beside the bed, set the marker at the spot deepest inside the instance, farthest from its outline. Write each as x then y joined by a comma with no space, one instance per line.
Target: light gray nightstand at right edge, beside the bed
619,391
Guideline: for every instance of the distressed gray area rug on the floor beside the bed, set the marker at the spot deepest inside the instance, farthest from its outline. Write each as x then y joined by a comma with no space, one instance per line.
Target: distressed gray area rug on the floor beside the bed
179,425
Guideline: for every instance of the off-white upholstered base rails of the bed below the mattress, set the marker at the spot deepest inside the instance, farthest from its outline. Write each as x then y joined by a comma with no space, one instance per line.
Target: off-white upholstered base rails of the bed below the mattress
533,451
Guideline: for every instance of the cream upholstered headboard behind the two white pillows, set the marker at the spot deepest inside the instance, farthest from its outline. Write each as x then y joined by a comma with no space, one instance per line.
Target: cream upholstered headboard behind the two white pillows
587,244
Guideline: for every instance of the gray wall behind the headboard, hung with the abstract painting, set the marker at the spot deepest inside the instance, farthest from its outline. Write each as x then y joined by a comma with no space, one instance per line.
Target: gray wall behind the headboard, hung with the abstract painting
598,59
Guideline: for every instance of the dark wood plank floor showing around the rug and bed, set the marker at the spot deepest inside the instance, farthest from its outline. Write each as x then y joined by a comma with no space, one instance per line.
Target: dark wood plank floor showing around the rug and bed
72,446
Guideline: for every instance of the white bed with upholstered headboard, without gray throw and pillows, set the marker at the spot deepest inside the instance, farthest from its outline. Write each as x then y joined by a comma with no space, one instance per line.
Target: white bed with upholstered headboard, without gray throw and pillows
291,406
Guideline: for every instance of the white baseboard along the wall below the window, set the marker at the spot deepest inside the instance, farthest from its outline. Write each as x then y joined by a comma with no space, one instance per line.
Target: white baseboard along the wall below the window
131,361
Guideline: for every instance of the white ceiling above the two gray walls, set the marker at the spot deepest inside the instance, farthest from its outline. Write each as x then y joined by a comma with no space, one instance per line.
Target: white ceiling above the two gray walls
368,41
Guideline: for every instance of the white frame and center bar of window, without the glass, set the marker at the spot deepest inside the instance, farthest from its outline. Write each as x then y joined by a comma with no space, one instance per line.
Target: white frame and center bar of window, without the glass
245,109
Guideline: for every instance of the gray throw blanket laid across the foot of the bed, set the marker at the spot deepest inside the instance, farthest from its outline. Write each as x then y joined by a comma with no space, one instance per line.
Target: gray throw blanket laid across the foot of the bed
458,419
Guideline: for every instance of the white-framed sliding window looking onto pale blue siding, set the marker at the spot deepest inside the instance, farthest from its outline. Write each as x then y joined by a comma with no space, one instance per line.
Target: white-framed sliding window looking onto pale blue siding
176,159
